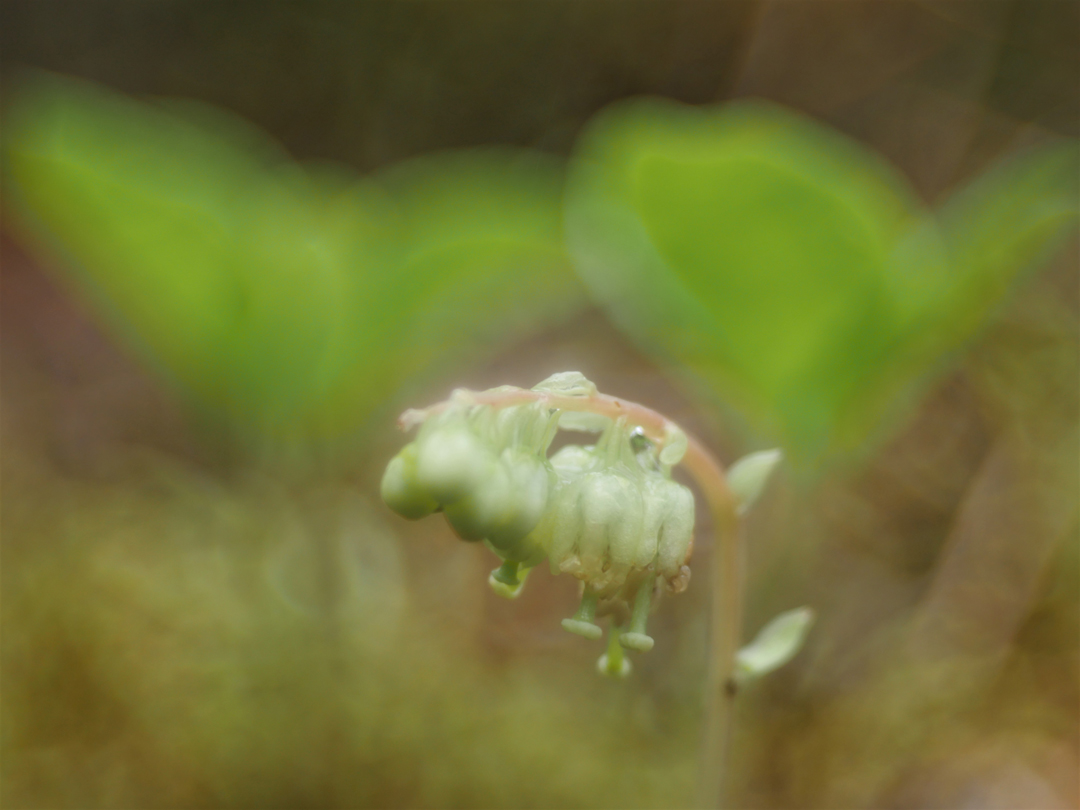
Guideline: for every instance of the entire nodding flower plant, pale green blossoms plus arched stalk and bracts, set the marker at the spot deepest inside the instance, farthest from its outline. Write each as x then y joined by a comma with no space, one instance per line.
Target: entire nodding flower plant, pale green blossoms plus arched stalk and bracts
609,515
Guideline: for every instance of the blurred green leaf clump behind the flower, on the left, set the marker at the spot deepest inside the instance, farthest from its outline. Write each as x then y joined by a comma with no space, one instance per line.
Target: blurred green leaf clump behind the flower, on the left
288,302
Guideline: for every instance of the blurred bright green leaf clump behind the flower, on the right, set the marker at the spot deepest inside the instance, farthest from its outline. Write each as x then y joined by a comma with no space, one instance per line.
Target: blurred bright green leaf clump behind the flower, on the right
789,268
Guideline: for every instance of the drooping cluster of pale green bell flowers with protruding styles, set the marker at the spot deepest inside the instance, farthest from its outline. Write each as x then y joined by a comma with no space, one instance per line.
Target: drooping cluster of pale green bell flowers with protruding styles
609,514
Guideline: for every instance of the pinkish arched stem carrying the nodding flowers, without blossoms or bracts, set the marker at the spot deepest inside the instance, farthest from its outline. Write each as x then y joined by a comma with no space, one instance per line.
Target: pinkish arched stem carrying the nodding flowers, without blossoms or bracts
727,570
